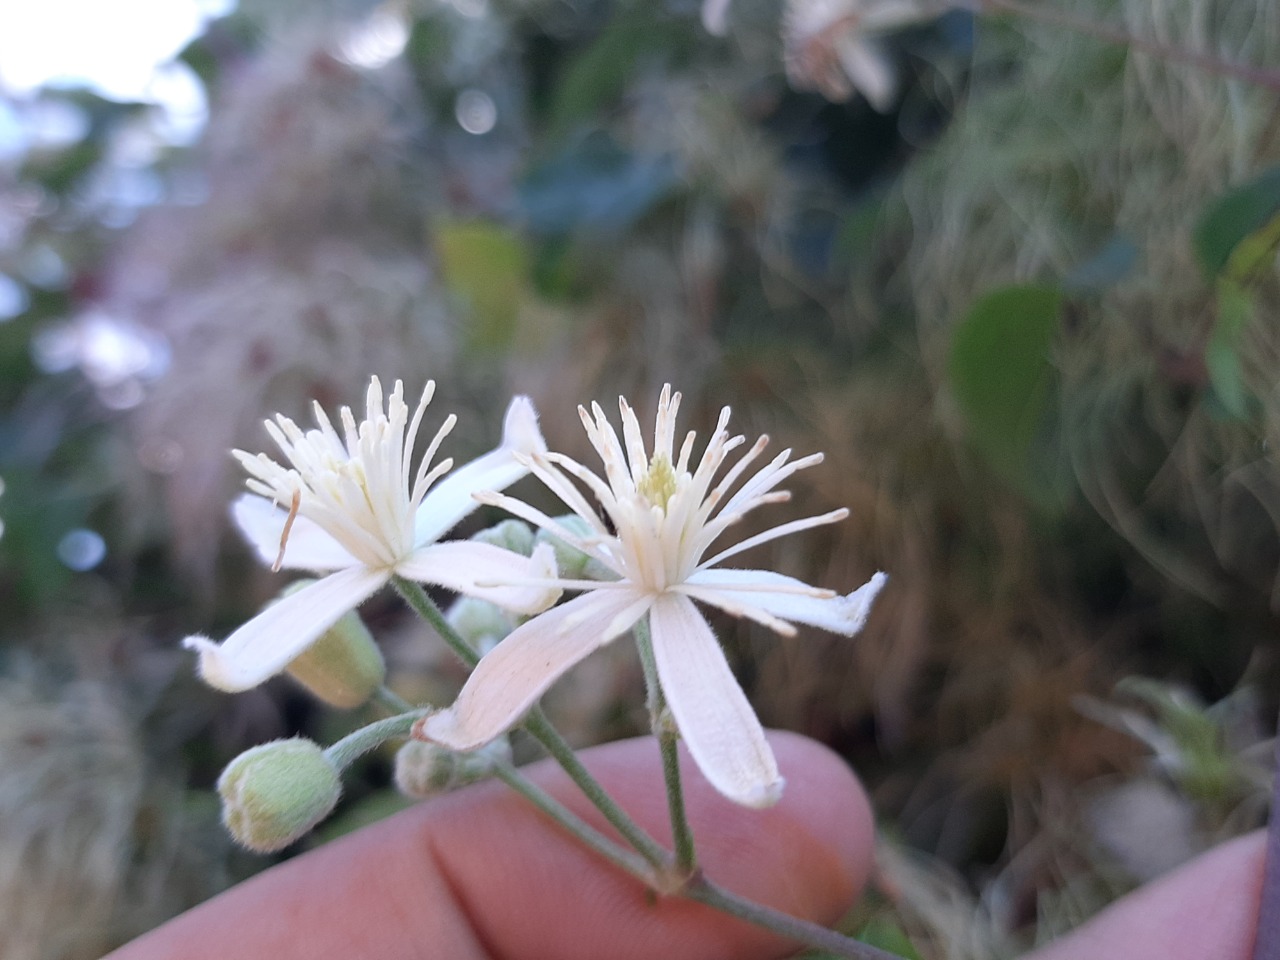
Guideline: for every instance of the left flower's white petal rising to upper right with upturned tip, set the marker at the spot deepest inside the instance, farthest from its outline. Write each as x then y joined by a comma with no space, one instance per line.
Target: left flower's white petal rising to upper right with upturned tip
451,499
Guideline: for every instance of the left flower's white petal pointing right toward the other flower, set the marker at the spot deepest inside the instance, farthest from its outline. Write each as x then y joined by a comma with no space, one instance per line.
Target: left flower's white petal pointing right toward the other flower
483,572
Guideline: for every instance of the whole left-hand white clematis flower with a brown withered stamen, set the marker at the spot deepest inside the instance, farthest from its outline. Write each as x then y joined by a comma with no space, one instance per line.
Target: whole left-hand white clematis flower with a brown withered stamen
360,513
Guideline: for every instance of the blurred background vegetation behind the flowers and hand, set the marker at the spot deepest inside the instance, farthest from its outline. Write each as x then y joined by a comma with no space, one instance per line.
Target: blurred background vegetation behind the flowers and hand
1030,313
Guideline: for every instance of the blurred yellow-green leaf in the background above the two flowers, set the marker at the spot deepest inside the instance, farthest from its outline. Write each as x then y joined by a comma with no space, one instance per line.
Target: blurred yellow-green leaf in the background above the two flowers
487,267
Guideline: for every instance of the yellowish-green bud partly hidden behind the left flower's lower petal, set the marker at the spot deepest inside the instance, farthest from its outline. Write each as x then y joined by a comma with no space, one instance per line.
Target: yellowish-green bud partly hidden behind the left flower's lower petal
345,666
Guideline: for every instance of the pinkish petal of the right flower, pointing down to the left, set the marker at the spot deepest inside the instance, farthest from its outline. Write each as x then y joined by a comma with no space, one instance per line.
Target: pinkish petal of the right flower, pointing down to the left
516,673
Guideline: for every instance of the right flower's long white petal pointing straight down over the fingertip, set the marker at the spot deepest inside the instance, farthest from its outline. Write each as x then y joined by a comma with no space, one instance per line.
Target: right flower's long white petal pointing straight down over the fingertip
717,724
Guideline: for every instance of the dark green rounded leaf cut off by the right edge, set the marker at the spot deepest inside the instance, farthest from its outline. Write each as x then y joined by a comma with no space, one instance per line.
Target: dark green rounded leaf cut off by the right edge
1246,223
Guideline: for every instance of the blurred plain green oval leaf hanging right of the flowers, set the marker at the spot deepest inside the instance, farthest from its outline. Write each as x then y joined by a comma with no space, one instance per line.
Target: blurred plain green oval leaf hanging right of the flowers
1000,371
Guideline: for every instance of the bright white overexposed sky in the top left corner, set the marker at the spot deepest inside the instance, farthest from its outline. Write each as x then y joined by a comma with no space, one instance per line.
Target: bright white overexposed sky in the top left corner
112,45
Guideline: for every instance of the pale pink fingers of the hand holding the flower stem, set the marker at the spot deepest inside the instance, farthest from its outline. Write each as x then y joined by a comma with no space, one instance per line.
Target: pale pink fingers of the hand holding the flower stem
482,876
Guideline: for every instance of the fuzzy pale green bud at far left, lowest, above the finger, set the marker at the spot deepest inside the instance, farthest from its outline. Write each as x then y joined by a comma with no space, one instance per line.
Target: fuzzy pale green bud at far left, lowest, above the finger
276,793
